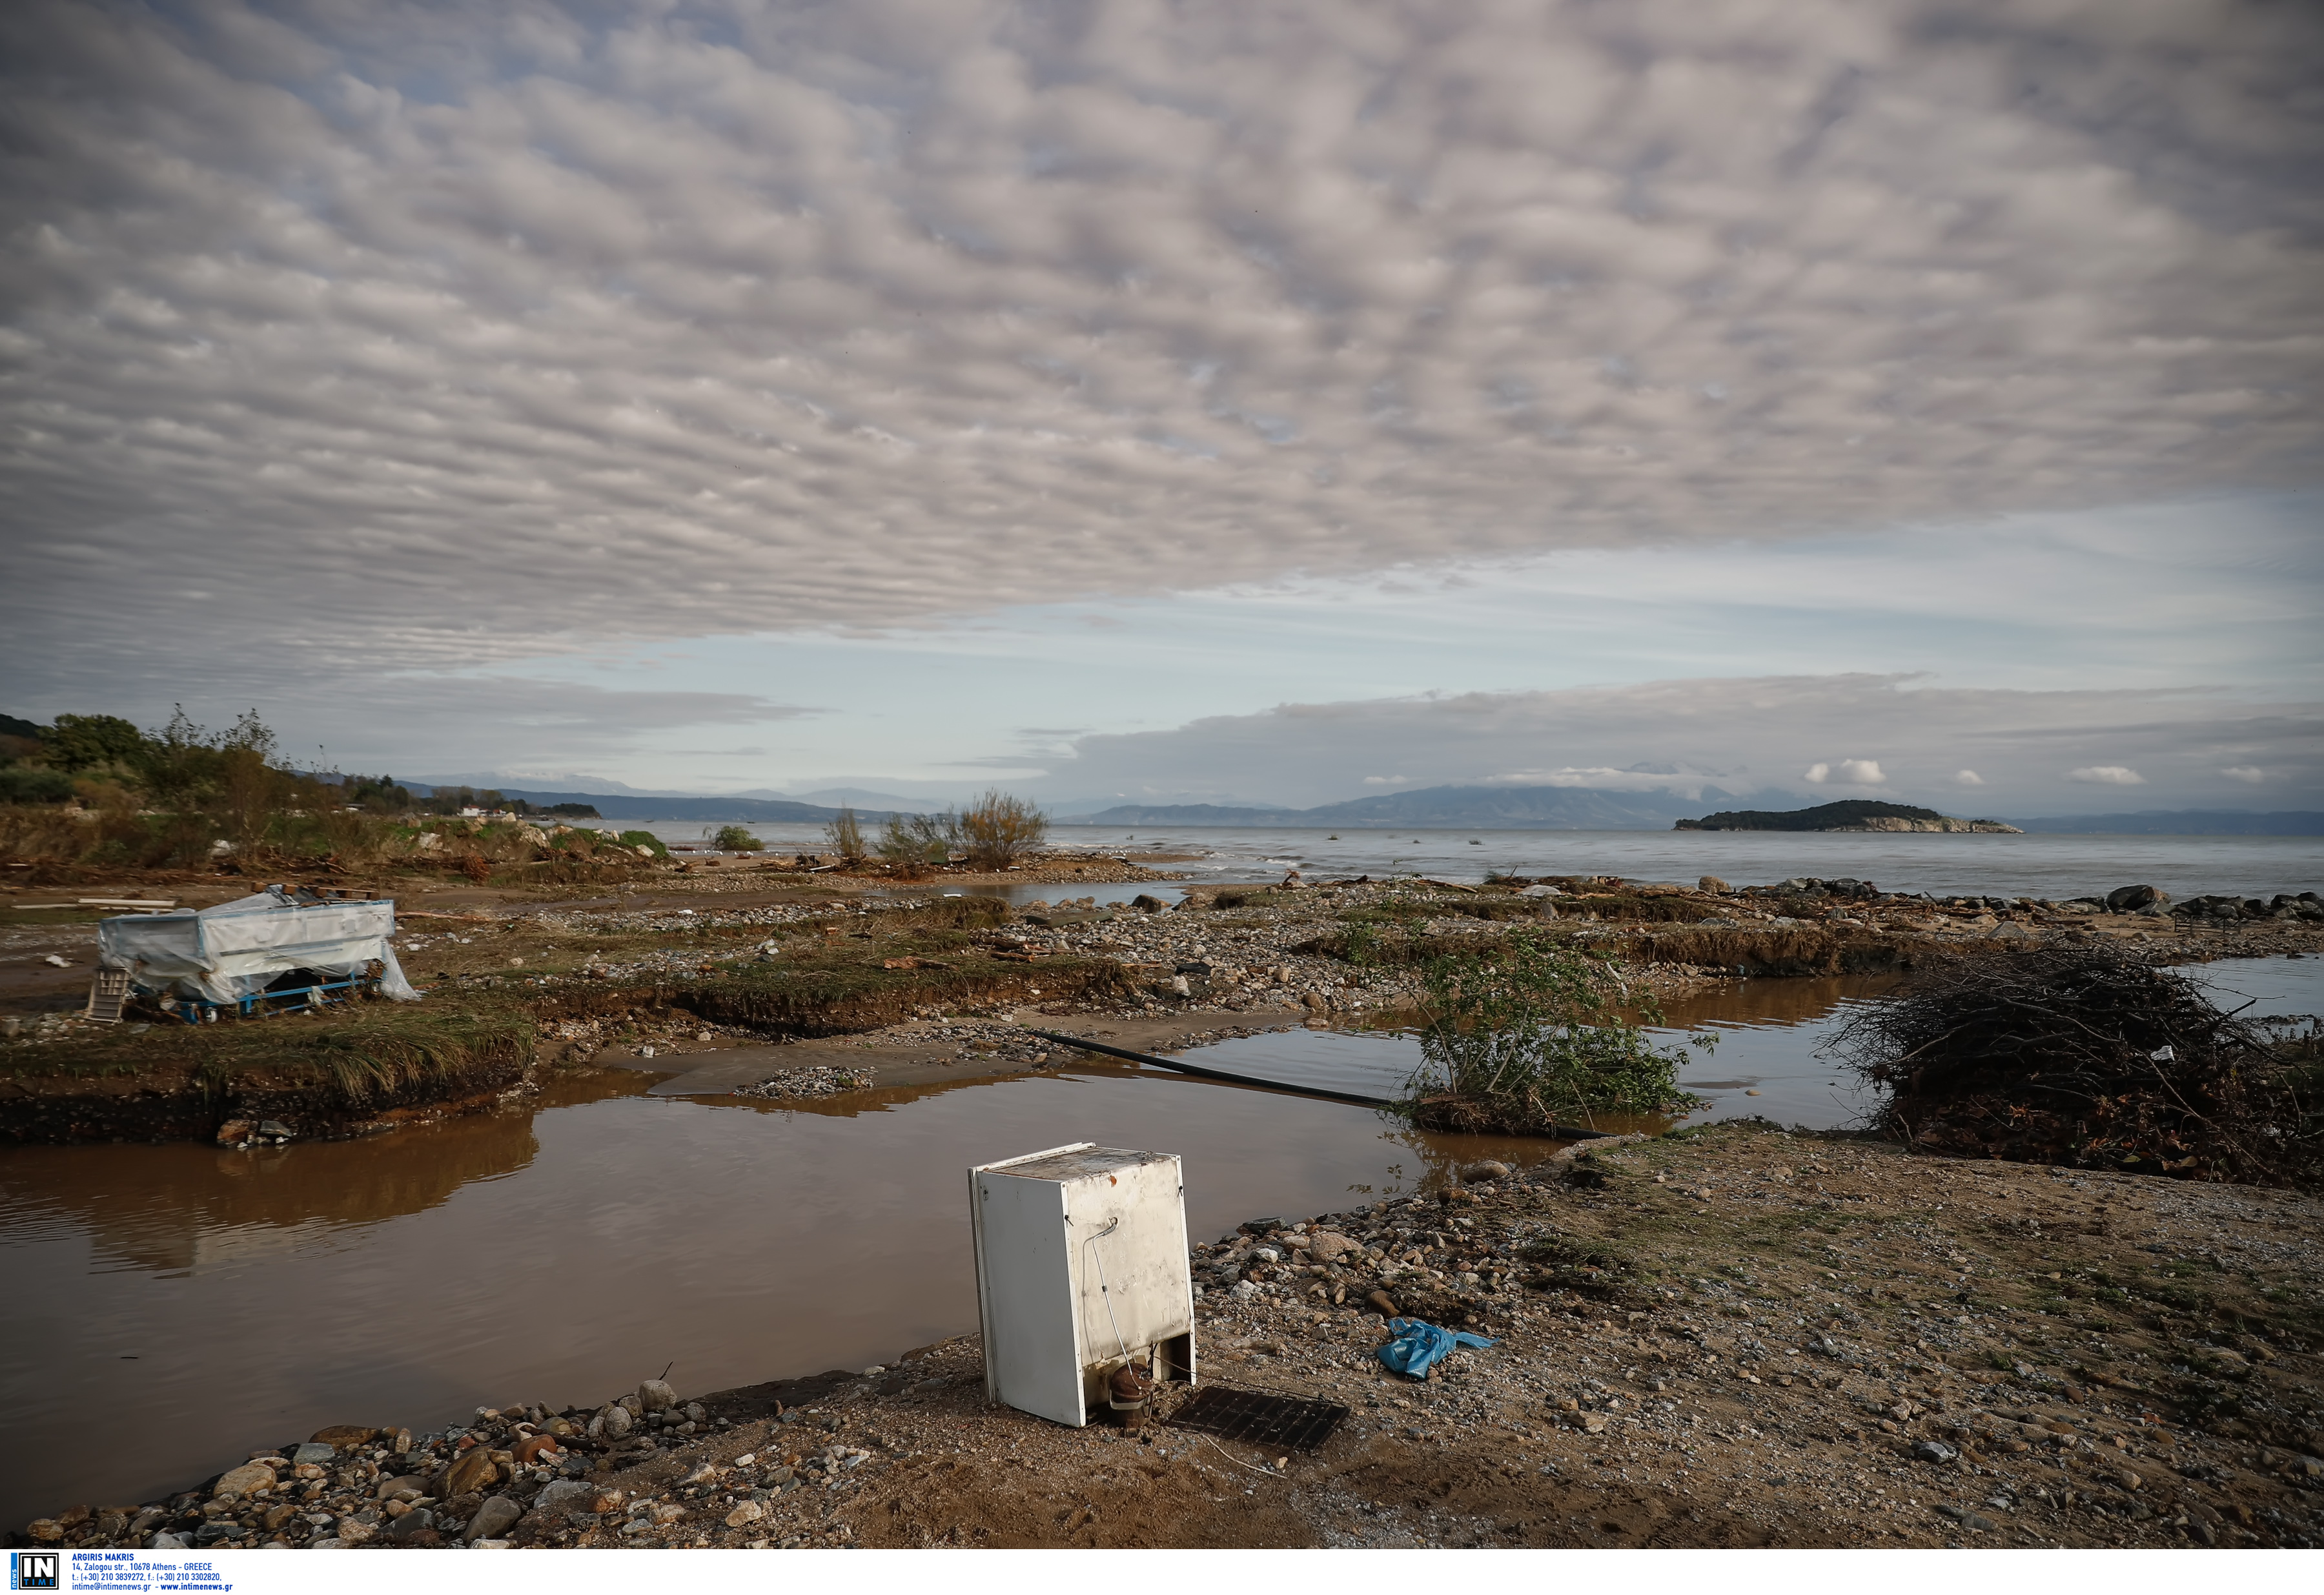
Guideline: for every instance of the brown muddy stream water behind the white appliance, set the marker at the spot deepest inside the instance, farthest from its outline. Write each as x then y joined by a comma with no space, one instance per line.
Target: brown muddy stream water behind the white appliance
173,1308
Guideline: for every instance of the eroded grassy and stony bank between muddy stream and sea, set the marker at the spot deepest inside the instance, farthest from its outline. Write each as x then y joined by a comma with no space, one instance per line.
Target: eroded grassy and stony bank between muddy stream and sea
812,987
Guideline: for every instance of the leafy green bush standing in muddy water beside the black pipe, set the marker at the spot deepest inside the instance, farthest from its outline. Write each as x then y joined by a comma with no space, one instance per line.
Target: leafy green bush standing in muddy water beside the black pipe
1530,1036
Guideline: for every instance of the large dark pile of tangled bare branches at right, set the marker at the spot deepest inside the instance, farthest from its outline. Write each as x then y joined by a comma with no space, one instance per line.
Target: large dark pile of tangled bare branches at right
2086,1057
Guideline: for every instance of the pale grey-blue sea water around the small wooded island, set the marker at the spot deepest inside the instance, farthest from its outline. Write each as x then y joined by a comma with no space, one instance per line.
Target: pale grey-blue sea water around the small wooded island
1932,864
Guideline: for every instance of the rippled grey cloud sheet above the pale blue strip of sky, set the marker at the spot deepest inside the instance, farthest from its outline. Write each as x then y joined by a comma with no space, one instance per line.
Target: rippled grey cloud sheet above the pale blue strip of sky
422,336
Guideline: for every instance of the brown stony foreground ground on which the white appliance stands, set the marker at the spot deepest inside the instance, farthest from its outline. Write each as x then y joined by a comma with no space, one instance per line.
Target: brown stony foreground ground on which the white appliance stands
1723,1338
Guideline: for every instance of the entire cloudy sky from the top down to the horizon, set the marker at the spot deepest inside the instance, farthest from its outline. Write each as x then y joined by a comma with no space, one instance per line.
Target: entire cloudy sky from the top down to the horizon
1182,401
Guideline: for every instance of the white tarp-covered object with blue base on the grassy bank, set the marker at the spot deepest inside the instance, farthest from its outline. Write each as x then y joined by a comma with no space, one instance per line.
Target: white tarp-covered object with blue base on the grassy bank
241,947
